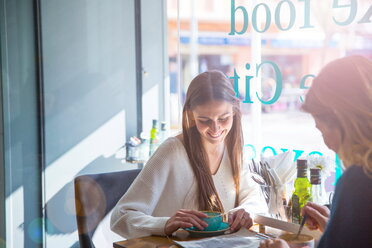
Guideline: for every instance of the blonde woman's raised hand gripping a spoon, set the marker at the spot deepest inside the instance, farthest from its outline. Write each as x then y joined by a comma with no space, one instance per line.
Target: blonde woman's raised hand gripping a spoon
317,216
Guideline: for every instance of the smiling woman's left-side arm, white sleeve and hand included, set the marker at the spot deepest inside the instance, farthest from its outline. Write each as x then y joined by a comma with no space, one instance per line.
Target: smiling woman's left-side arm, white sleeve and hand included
155,202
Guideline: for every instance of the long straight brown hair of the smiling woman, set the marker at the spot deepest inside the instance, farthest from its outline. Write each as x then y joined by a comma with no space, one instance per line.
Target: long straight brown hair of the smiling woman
208,86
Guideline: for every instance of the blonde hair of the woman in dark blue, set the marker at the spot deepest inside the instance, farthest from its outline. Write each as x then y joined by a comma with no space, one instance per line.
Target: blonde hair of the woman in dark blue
341,97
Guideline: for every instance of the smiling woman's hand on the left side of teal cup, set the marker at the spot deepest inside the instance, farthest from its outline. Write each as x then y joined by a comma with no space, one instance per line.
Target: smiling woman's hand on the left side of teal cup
185,218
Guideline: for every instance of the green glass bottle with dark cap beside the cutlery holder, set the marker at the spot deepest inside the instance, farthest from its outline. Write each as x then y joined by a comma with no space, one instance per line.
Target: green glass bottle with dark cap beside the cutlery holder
302,192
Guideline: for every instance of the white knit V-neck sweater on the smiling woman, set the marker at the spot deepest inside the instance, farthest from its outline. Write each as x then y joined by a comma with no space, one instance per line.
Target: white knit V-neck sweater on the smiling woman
167,184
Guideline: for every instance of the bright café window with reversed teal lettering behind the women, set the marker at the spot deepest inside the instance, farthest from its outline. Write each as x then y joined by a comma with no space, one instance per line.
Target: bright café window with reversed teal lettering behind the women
289,41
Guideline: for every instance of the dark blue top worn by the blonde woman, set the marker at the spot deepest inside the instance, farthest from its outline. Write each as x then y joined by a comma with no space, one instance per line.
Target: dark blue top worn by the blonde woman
350,224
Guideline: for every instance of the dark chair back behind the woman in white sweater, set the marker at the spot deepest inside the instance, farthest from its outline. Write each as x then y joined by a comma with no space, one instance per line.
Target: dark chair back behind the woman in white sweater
95,196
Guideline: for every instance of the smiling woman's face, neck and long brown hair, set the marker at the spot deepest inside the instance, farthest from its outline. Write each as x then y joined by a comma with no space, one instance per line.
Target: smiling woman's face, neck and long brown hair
209,97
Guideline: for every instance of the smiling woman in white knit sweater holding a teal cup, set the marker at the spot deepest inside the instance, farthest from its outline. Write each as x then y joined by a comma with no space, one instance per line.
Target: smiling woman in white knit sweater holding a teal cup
200,169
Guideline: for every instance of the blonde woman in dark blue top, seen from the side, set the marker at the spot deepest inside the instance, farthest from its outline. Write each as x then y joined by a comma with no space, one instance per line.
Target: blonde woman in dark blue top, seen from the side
340,101
